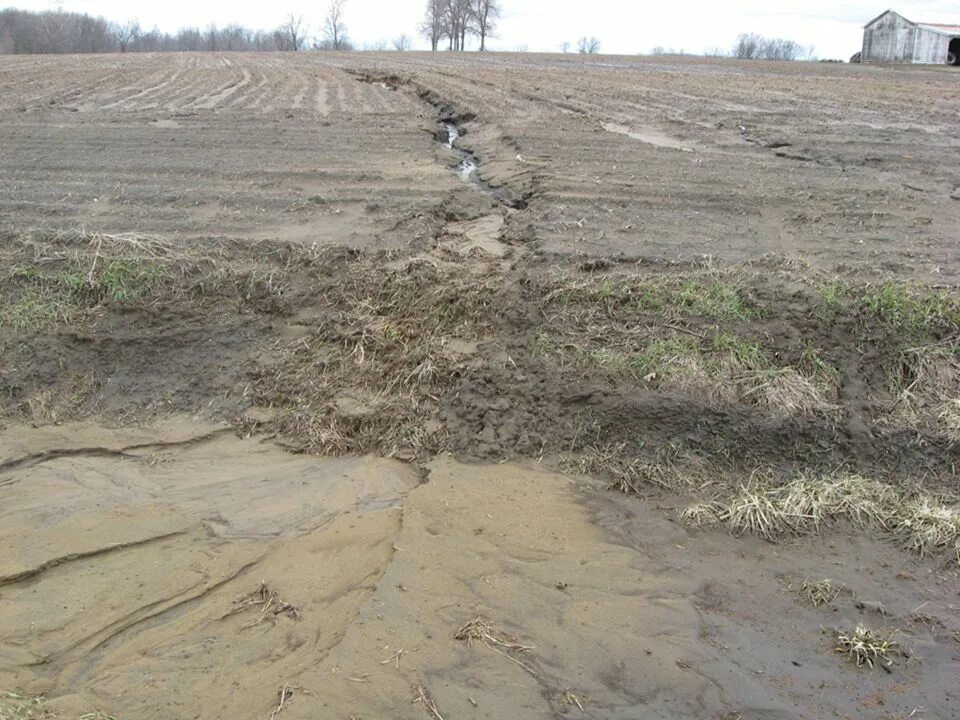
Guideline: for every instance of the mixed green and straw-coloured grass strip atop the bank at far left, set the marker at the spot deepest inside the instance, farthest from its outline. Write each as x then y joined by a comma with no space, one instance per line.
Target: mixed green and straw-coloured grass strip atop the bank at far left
50,278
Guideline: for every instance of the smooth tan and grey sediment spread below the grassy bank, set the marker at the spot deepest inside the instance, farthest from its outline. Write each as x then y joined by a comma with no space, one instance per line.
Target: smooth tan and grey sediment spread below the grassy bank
180,572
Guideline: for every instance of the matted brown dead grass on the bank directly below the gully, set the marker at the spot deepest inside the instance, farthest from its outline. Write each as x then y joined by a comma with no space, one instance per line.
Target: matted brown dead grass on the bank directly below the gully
371,378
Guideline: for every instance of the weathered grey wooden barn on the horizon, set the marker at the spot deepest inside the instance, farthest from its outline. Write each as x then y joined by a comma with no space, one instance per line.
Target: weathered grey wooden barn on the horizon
890,37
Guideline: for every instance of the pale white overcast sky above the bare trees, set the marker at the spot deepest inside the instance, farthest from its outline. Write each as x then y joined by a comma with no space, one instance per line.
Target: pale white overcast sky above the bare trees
834,27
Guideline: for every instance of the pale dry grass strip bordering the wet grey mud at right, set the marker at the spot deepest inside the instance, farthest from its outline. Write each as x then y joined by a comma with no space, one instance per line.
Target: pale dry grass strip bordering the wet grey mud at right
922,522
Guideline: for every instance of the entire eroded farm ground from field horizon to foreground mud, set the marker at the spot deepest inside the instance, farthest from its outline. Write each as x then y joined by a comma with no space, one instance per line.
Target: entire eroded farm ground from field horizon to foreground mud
294,399
